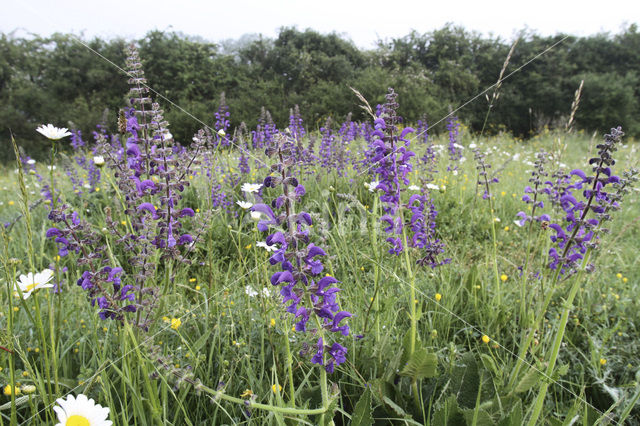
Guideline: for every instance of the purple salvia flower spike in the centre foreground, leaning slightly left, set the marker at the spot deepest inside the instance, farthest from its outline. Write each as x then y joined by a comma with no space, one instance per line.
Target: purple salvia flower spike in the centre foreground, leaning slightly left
306,293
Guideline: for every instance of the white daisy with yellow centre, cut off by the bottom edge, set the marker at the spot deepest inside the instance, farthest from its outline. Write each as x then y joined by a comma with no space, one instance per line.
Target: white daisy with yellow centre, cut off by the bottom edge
81,411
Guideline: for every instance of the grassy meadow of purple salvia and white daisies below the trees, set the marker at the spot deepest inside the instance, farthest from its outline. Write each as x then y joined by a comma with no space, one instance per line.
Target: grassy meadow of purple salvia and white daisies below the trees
358,273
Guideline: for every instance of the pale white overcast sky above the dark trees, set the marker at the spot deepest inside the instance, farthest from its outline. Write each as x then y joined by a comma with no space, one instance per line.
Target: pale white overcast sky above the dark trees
363,22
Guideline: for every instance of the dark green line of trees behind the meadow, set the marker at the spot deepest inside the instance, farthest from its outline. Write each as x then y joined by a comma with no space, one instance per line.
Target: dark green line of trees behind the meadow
60,80
